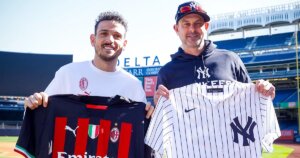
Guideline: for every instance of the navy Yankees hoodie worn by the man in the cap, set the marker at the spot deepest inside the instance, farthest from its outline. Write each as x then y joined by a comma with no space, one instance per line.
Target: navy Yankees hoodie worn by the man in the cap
213,67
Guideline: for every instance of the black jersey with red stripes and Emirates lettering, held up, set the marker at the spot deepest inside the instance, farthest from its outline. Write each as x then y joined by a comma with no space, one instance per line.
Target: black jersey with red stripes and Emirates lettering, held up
84,126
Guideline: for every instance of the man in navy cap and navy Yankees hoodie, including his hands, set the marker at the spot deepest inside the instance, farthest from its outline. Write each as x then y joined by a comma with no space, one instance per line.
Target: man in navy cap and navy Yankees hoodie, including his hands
198,60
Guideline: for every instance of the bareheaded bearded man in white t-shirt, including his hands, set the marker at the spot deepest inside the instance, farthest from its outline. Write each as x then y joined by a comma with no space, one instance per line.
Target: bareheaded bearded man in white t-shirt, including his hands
100,76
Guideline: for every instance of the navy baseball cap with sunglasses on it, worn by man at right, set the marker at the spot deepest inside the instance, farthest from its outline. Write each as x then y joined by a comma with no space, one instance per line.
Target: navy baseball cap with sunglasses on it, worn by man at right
189,8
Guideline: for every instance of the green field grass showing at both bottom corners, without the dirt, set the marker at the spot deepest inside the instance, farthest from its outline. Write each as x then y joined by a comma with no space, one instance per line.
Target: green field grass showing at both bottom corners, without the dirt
280,151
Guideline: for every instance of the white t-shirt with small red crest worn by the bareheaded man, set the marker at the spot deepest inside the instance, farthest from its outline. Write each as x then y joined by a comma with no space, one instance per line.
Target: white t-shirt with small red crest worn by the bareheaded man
83,78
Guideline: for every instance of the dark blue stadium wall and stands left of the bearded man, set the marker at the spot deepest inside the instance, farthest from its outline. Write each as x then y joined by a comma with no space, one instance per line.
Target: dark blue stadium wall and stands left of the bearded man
22,75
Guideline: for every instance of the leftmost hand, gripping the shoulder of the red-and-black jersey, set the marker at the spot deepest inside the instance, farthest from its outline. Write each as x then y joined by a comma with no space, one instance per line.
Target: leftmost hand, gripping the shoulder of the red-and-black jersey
33,101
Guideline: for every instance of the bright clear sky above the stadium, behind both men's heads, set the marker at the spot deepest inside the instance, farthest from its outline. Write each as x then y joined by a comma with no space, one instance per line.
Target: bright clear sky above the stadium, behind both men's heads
64,26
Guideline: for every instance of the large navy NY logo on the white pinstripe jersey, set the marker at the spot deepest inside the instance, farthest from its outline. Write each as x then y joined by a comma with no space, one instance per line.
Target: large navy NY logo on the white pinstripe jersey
238,129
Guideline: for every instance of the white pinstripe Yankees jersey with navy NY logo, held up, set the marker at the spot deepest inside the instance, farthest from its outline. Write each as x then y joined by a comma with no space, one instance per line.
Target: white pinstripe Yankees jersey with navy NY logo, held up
199,121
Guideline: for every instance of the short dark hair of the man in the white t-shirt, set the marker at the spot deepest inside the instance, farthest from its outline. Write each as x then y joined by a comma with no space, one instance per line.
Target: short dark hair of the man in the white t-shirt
111,15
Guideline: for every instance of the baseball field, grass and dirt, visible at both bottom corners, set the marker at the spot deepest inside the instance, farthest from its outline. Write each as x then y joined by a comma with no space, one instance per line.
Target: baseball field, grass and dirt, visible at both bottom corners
7,145
